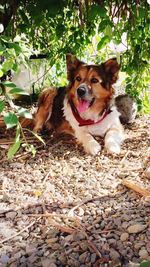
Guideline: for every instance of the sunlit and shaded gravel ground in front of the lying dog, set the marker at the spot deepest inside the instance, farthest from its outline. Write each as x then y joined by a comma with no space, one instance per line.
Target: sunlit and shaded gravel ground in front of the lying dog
65,208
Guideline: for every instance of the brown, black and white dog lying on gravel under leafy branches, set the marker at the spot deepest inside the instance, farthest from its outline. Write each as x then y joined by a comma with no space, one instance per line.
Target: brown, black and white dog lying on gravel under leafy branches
85,108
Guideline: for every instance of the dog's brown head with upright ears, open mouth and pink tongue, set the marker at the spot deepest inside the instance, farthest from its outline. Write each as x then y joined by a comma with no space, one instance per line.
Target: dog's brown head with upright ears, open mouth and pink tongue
90,86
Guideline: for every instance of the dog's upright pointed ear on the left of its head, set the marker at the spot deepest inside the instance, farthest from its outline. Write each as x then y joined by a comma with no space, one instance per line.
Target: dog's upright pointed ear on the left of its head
72,64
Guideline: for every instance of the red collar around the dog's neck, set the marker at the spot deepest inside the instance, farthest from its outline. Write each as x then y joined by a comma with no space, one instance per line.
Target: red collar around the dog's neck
83,122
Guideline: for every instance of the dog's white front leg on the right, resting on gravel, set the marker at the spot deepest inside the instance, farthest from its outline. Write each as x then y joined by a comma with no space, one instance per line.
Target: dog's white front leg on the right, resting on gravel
113,139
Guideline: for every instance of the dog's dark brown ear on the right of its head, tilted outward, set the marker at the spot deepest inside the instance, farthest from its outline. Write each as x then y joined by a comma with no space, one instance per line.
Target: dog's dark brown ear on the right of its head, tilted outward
109,72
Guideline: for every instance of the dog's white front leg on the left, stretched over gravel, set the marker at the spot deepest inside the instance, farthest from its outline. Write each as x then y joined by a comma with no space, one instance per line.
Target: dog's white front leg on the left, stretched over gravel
90,145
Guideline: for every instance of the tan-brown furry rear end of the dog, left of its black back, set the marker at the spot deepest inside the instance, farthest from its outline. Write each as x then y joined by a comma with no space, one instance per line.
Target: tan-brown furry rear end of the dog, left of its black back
45,104
